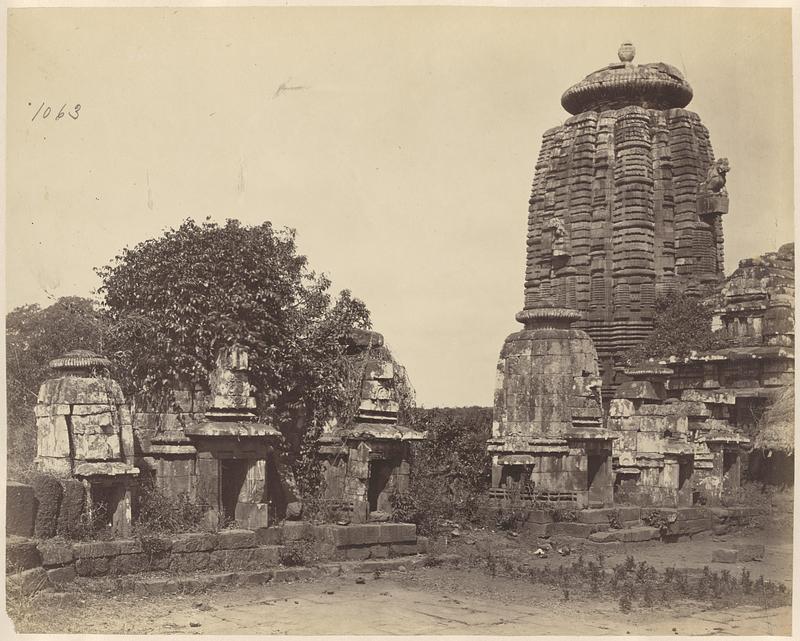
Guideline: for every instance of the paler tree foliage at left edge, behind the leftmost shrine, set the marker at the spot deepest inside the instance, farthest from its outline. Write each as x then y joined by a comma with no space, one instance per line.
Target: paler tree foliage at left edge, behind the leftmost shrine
34,336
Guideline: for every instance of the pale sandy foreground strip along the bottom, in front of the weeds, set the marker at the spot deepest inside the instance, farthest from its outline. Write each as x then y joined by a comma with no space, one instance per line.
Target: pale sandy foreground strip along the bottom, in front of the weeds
425,601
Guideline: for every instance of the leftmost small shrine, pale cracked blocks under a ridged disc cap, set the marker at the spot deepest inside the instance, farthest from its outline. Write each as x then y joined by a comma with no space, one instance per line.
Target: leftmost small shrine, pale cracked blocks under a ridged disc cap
84,431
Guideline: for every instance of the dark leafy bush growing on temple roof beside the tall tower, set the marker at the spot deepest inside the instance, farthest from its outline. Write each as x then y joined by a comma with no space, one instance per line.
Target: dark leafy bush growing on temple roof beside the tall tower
682,324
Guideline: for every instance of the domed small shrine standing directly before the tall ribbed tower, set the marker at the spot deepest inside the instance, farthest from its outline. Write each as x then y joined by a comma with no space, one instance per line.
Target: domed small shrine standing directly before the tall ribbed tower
547,438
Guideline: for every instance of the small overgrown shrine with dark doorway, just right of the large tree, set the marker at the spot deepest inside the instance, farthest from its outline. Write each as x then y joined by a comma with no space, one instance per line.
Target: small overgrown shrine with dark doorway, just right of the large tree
367,458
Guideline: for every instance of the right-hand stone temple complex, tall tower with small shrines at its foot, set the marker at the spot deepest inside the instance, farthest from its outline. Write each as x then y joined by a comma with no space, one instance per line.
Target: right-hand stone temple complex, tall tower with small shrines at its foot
627,205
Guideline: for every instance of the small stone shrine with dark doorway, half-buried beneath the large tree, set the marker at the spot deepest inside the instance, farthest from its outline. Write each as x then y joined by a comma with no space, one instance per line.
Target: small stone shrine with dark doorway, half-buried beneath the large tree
213,448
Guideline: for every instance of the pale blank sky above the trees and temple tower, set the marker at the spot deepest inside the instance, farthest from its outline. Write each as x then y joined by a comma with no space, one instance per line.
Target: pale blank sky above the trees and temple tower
402,150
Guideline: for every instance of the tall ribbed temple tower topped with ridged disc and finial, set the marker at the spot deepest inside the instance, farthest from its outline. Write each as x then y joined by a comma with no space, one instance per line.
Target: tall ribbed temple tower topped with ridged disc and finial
626,204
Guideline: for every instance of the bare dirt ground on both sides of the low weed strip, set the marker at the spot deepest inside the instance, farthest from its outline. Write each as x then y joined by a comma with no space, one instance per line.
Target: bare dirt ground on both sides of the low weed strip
439,600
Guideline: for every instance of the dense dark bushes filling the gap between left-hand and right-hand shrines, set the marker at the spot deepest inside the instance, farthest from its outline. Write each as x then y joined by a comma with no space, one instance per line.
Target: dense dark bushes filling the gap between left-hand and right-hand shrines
451,470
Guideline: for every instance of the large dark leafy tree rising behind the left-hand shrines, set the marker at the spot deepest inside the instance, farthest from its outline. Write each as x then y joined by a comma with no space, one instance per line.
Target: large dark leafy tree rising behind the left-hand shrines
171,302
